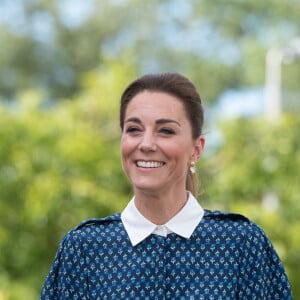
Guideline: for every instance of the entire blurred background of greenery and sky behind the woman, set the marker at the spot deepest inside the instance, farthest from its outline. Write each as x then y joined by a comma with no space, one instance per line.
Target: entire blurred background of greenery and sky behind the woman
63,66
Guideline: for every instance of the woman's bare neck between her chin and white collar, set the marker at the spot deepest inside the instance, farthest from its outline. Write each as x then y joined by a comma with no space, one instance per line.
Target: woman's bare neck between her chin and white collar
160,208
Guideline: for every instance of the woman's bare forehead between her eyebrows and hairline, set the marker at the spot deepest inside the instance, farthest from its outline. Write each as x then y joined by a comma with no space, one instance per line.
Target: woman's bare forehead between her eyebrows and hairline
156,104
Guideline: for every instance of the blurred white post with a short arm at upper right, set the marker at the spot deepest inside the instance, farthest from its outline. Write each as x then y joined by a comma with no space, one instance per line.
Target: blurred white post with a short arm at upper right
274,59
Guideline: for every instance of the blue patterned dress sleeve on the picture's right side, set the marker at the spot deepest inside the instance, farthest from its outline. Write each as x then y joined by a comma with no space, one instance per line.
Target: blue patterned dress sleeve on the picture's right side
262,275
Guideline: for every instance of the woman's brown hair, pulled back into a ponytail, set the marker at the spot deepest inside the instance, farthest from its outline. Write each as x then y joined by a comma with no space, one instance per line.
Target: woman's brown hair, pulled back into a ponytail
178,86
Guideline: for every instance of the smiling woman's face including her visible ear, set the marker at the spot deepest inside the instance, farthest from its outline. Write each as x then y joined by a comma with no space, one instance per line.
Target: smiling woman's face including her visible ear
157,145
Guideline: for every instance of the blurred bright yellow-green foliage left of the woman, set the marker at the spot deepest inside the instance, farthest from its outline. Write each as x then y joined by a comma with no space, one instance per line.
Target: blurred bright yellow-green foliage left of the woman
59,165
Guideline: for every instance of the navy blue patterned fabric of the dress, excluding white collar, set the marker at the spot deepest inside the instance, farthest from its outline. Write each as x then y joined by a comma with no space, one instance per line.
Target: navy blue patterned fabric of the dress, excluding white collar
227,257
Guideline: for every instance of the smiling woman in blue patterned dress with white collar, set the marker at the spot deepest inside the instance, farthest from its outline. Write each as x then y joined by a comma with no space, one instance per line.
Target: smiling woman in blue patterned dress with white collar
164,245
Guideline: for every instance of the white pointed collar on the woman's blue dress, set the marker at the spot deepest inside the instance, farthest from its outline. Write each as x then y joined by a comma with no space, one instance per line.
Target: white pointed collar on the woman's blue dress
183,223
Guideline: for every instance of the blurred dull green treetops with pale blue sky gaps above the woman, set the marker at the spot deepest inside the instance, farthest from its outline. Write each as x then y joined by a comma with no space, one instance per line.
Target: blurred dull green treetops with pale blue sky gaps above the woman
219,45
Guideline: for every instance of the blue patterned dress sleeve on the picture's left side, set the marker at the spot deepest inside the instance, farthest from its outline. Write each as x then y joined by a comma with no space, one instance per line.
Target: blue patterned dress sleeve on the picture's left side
67,278
